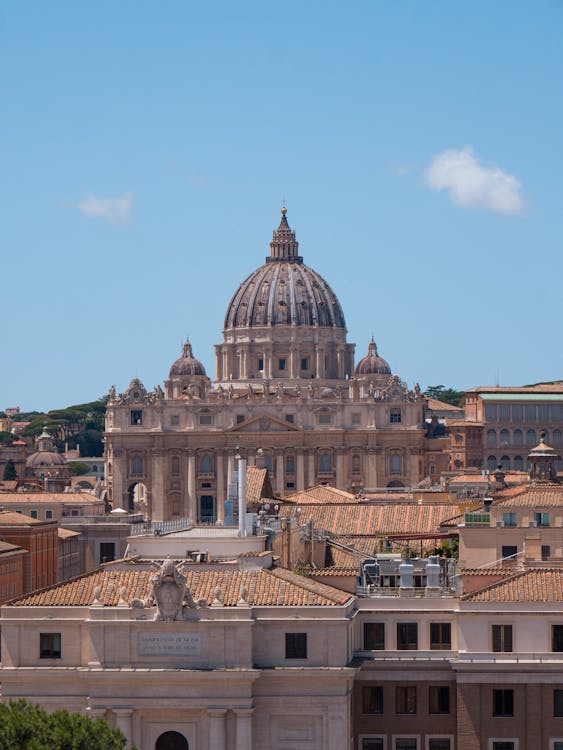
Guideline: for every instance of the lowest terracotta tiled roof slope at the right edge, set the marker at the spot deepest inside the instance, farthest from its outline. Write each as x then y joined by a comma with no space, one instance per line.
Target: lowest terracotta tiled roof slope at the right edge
532,585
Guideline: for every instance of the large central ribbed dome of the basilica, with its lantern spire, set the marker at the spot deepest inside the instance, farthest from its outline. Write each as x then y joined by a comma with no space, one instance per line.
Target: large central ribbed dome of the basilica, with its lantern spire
284,291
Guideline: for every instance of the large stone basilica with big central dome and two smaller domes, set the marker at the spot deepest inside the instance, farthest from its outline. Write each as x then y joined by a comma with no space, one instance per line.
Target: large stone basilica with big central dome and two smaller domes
287,395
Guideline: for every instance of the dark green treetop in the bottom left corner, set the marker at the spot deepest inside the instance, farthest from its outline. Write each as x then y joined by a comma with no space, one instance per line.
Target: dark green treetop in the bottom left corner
25,726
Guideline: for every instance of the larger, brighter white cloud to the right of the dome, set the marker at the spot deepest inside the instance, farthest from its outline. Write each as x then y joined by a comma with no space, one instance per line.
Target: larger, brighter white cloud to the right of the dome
471,183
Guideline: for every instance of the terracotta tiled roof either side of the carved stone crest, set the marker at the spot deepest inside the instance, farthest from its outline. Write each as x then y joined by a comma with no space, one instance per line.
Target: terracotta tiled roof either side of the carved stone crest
278,587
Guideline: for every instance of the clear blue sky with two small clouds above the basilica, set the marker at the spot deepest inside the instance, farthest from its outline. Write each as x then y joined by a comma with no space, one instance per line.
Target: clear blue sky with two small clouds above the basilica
145,149
